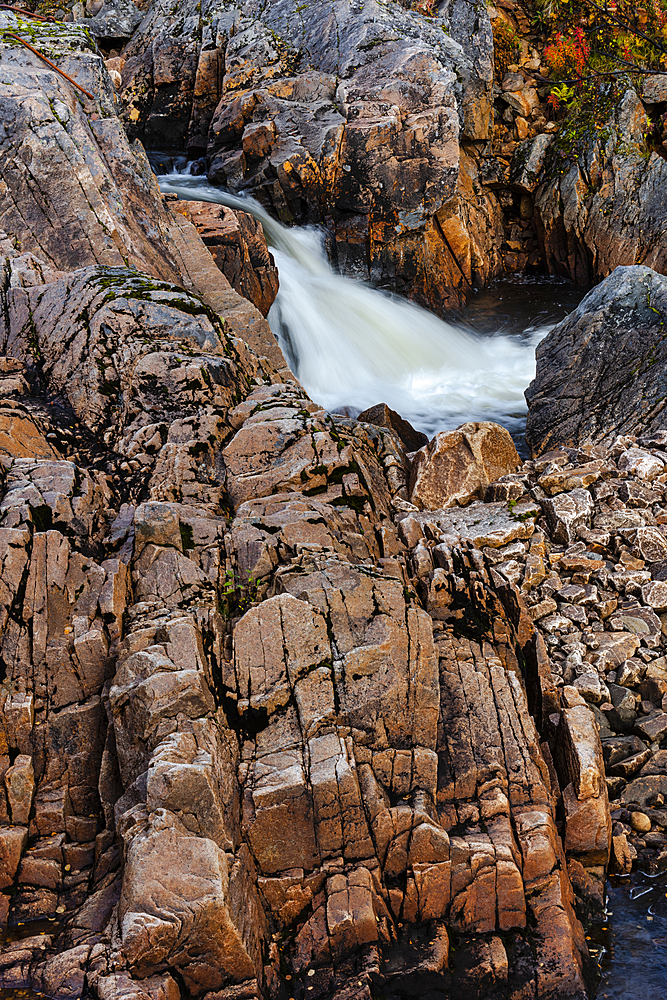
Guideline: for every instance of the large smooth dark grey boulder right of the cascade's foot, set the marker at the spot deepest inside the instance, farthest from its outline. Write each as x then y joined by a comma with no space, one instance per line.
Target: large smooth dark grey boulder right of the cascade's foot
601,372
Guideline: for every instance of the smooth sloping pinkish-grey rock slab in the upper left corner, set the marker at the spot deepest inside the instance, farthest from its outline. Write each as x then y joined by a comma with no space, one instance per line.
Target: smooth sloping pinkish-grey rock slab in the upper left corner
89,196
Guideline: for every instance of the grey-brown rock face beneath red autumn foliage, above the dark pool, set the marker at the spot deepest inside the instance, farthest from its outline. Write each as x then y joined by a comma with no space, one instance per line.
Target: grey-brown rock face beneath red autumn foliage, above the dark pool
600,203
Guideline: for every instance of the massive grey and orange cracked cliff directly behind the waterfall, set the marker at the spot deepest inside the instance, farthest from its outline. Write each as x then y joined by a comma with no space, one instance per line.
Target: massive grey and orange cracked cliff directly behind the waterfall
338,114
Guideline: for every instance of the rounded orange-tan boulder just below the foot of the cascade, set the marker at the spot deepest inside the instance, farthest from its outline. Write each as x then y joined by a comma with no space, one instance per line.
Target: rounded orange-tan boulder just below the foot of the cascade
457,466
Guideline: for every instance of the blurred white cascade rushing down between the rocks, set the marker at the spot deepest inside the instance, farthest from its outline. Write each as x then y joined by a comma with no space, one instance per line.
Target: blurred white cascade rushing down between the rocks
353,346
